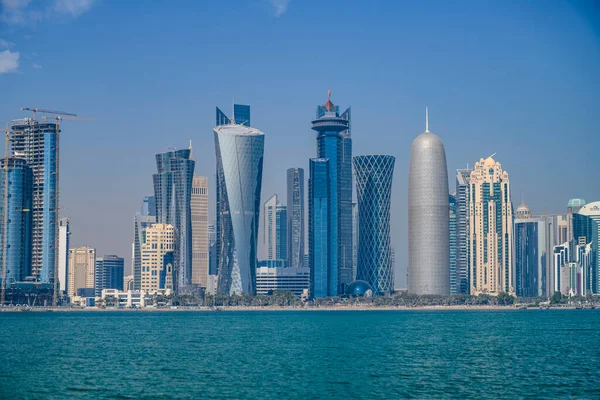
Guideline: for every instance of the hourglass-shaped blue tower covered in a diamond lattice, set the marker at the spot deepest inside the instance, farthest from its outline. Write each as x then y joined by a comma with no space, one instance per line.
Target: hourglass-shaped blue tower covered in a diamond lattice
374,192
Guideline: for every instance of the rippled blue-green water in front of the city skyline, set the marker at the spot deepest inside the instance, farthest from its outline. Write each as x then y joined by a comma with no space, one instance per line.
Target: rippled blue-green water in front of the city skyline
296,354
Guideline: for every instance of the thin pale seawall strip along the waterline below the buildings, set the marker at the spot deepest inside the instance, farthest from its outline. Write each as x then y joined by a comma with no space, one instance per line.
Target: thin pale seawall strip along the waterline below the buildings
271,309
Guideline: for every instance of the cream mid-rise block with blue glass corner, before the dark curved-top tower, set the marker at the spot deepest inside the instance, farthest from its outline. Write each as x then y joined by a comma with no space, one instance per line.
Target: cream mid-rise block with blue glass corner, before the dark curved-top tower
157,258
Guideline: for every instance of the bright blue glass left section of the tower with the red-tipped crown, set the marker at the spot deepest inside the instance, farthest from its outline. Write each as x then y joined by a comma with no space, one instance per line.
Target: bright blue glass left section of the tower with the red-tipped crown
323,279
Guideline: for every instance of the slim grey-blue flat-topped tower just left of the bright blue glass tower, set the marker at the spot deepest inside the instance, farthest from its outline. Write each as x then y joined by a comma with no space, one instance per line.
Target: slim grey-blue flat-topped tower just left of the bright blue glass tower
295,217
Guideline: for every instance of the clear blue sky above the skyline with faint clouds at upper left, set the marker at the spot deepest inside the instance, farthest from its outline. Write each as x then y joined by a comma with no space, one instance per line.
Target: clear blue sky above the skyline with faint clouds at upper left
519,78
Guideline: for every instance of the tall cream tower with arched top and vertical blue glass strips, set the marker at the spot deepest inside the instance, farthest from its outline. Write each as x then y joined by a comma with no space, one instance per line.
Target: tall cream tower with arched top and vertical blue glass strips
491,229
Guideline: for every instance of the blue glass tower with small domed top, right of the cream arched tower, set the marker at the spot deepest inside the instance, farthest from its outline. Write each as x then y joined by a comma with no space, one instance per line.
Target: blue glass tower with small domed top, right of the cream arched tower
531,258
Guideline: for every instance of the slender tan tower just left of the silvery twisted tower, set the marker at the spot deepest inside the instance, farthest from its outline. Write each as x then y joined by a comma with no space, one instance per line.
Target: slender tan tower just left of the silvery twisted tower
199,208
